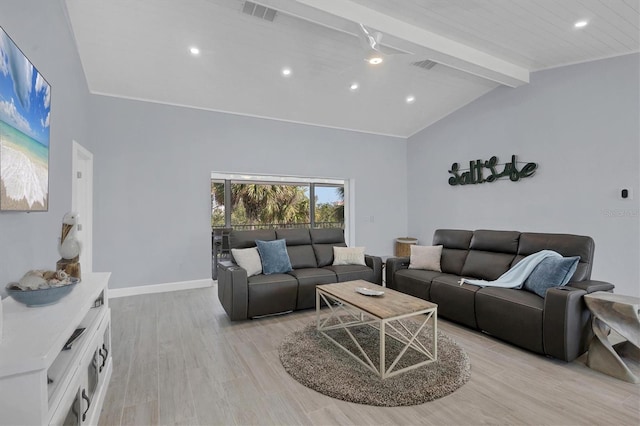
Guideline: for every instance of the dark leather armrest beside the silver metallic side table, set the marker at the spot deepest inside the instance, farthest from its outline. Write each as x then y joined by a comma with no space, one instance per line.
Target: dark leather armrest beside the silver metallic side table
566,329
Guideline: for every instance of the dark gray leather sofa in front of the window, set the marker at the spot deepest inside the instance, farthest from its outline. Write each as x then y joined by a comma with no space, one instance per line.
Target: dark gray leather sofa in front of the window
311,255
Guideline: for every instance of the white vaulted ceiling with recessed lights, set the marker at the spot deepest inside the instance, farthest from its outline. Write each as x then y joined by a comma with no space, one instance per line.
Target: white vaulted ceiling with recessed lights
140,49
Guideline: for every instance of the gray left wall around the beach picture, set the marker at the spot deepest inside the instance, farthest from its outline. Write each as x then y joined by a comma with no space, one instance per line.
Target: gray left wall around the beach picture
39,28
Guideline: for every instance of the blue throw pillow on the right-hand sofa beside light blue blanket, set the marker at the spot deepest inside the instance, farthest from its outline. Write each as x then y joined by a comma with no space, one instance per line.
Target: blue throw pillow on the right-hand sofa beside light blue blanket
551,272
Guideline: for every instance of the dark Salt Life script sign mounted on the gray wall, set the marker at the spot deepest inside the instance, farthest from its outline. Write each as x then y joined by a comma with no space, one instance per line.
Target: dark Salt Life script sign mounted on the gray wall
487,171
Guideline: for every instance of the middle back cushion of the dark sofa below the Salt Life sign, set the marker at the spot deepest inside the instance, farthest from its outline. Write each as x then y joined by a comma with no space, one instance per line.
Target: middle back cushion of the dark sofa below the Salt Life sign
491,254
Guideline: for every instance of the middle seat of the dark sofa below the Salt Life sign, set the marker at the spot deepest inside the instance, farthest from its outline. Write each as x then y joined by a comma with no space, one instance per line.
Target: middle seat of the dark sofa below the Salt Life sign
455,302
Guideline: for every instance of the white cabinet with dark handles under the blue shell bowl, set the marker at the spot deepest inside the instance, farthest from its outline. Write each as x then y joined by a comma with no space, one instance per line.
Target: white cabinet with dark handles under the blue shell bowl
40,383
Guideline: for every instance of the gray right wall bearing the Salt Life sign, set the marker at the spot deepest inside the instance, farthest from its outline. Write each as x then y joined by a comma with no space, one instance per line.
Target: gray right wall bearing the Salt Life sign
581,125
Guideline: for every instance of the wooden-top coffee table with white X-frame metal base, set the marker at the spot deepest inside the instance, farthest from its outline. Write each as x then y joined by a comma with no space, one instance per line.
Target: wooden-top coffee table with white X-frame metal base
384,313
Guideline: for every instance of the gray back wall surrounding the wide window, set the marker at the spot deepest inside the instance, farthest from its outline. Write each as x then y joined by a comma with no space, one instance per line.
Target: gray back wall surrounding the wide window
152,166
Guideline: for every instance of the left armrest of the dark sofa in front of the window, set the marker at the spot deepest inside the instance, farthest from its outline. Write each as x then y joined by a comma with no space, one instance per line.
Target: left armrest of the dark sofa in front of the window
233,290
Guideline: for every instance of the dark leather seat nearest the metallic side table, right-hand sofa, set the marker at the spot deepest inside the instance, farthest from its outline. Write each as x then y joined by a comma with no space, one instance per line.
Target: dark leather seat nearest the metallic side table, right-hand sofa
511,315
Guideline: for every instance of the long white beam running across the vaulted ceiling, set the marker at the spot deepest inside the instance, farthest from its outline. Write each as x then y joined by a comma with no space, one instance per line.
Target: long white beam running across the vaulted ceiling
438,48
